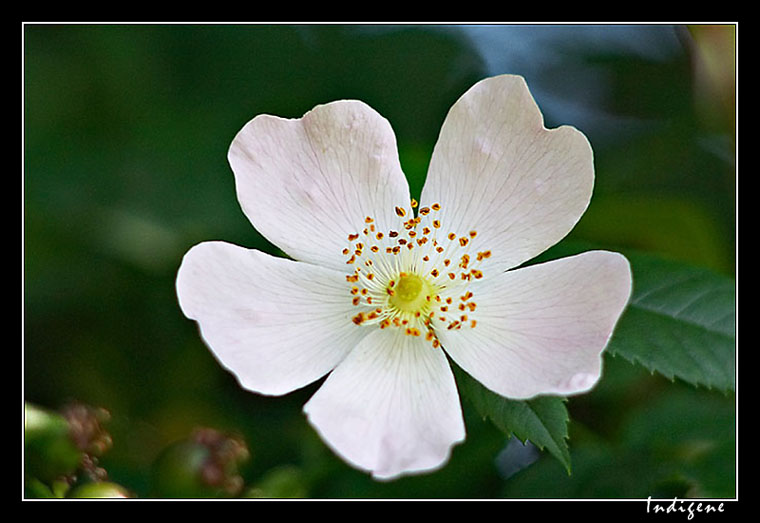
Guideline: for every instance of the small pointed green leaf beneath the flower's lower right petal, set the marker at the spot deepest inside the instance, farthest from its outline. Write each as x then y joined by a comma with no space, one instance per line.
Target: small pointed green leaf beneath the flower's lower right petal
542,420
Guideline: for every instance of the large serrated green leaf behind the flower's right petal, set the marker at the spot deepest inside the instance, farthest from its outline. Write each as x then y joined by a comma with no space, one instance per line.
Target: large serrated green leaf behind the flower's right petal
680,322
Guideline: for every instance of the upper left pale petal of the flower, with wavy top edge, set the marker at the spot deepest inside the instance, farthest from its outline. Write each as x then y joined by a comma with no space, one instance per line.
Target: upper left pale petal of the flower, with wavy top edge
307,184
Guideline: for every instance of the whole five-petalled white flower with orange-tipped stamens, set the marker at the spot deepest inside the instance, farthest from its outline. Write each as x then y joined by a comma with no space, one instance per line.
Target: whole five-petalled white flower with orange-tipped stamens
383,289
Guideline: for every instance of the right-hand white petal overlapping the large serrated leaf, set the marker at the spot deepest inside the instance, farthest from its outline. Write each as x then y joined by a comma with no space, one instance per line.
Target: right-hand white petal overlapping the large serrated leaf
541,329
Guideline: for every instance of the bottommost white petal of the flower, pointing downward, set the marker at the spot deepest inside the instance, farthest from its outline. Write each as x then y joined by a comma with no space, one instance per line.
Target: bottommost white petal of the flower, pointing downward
391,407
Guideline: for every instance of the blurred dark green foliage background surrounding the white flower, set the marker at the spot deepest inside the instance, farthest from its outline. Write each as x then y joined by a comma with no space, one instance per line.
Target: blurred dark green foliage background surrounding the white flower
126,130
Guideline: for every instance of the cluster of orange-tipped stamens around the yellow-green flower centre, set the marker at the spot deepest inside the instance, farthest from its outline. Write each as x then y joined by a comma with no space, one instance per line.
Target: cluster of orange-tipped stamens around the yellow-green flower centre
415,277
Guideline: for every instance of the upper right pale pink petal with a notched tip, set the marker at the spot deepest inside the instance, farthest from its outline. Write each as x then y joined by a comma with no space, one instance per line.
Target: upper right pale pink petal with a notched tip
497,170
